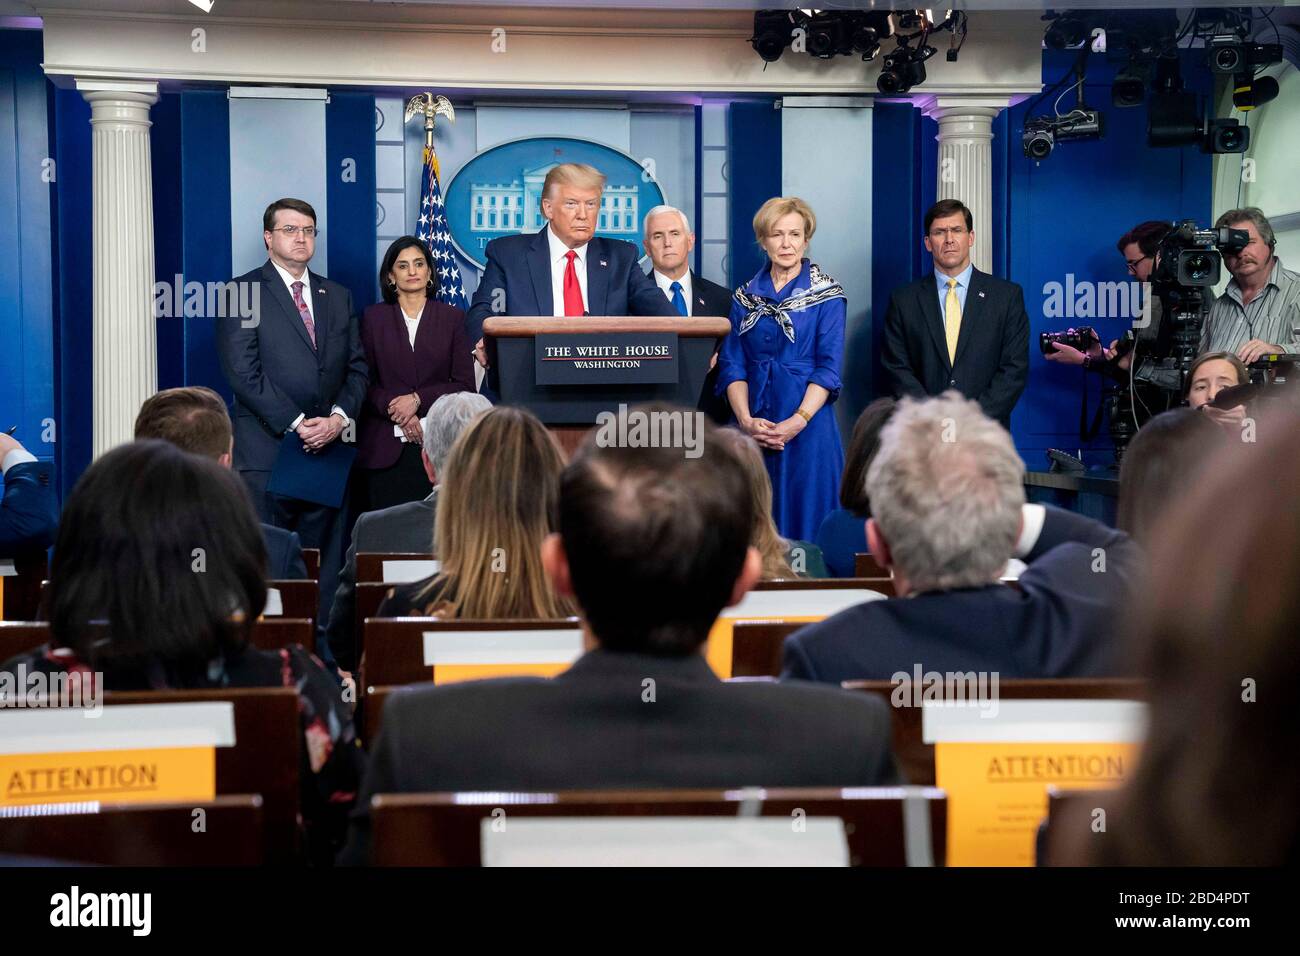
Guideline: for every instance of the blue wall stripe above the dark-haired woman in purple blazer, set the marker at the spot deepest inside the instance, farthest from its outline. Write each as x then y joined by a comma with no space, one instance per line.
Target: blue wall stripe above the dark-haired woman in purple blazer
350,193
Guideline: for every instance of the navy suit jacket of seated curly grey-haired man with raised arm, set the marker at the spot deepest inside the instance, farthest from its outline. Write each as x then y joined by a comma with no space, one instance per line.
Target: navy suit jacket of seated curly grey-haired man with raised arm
1060,624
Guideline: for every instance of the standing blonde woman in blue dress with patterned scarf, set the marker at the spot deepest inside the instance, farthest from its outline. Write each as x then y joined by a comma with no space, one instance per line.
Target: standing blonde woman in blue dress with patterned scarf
781,369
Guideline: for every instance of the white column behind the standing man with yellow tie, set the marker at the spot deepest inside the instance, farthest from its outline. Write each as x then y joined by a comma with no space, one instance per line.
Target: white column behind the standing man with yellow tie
967,162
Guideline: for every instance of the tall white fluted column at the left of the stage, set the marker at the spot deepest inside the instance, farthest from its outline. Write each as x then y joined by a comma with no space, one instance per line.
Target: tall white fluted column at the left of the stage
125,347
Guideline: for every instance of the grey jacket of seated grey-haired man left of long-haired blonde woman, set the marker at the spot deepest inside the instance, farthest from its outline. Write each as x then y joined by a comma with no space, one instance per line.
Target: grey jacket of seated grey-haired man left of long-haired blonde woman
406,527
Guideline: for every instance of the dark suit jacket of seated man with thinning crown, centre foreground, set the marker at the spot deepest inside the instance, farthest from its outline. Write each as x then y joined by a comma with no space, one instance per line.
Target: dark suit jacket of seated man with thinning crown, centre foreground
593,728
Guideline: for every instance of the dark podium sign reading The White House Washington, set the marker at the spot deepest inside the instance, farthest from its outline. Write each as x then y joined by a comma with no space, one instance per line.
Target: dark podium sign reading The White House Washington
606,360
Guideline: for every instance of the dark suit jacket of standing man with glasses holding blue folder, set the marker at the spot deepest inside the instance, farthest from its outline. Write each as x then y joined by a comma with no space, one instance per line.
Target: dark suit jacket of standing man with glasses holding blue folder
275,373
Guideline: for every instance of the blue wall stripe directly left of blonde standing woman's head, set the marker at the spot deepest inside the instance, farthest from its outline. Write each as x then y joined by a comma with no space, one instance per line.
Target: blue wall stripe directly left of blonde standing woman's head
755,167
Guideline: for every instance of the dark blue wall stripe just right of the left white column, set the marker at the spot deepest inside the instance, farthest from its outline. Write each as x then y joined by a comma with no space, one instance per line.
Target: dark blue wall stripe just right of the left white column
206,223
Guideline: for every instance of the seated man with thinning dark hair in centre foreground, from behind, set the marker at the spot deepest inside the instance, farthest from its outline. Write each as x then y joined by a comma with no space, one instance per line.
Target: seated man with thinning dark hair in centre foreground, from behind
642,708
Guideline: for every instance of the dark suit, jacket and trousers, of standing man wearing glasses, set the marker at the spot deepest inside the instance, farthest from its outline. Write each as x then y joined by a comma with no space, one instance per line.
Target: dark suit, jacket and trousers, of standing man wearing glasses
276,377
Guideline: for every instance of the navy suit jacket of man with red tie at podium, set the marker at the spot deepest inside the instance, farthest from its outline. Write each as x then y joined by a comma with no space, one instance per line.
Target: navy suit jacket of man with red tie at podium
519,278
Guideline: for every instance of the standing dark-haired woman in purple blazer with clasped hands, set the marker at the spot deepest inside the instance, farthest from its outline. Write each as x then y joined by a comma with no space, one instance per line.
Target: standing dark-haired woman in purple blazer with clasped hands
417,349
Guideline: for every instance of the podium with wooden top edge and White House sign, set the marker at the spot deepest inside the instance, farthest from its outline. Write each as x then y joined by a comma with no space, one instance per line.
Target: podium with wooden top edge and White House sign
570,370
